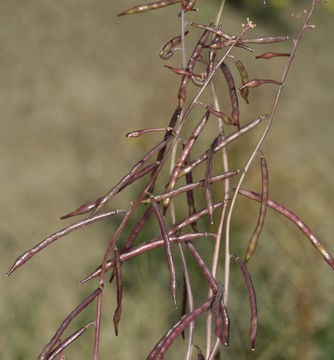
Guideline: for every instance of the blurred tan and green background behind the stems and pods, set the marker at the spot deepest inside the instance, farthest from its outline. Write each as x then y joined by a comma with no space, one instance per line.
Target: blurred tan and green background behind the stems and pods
74,79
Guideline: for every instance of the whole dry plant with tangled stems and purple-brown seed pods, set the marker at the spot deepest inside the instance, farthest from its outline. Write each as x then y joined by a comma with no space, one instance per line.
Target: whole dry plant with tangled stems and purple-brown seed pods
213,48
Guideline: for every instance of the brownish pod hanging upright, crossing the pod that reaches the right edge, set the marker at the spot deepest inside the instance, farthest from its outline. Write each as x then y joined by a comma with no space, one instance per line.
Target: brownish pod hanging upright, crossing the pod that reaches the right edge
264,198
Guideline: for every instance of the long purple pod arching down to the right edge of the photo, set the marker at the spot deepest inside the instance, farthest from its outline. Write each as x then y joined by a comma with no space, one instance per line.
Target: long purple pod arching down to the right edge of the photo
315,241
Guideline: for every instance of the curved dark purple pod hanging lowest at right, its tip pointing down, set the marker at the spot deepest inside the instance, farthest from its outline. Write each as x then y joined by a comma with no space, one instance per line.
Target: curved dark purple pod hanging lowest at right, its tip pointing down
252,299
